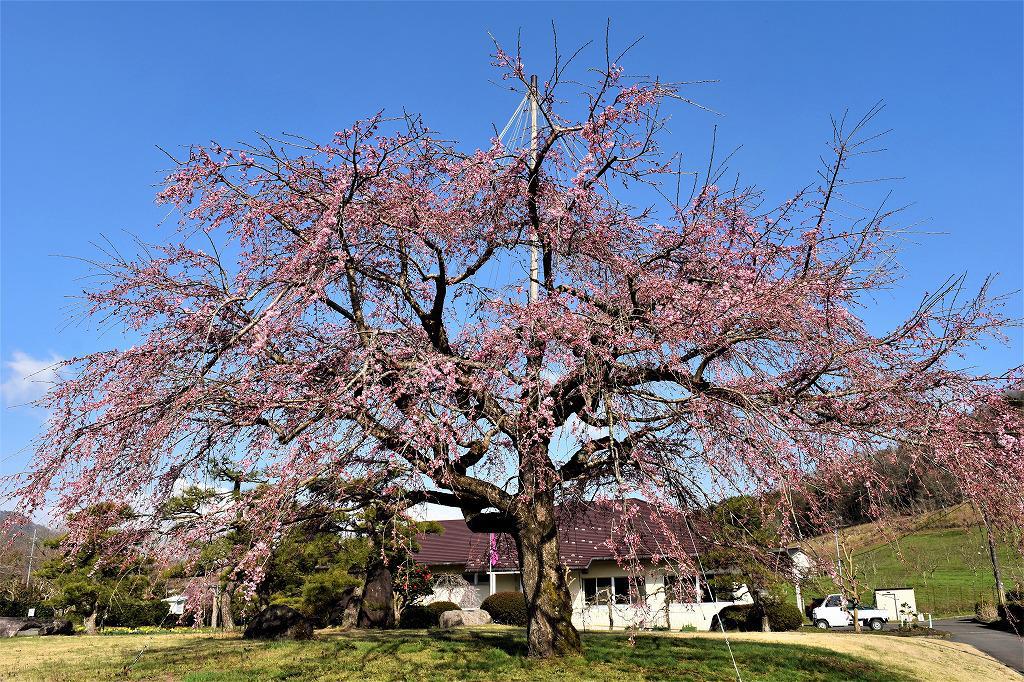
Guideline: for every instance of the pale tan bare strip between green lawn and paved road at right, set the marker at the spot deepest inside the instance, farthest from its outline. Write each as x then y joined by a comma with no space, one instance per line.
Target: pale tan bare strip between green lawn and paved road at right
927,659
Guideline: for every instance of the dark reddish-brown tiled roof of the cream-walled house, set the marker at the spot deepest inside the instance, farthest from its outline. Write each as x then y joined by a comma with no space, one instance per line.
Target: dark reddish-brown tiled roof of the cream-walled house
586,533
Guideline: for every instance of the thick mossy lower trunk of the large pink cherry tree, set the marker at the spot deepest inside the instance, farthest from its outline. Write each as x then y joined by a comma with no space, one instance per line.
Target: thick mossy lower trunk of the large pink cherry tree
549,606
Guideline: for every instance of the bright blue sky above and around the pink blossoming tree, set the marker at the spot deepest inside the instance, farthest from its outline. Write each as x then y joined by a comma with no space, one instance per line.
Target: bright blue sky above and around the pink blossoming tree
91,90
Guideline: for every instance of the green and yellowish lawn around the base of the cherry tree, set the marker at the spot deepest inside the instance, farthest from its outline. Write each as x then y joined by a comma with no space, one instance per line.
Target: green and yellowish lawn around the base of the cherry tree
492,654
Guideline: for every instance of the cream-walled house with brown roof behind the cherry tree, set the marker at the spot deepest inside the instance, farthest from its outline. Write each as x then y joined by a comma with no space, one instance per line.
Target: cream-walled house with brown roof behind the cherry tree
619,557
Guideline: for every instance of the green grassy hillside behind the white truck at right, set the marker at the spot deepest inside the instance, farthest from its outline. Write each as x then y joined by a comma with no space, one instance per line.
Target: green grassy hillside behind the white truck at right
944,556
